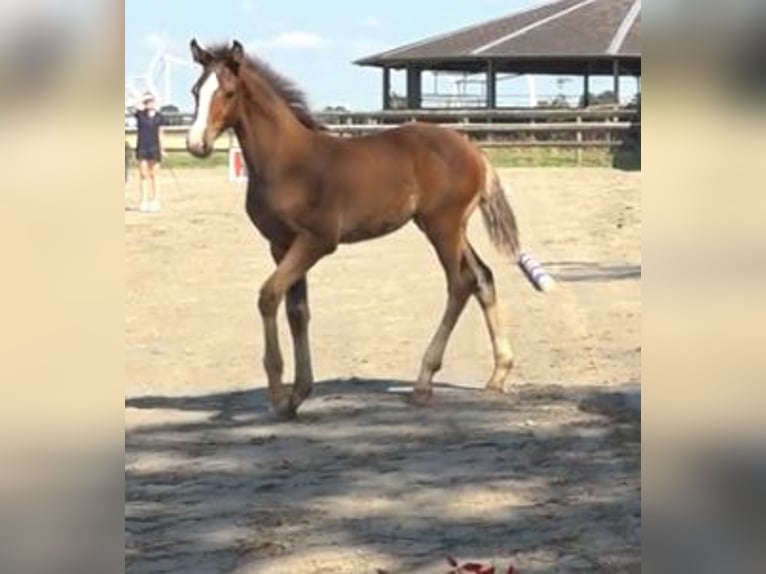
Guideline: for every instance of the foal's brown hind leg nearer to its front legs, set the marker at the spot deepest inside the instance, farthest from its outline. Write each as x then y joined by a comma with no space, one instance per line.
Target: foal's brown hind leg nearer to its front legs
449,247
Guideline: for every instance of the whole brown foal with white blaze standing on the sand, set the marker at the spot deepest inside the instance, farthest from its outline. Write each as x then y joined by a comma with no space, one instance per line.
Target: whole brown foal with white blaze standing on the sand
309,191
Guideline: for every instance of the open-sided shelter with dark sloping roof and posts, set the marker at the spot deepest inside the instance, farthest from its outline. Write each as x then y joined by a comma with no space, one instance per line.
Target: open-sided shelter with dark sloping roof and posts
562,37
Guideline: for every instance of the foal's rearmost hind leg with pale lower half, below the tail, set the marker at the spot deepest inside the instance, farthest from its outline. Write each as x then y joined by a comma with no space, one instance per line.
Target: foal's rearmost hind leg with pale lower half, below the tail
486,295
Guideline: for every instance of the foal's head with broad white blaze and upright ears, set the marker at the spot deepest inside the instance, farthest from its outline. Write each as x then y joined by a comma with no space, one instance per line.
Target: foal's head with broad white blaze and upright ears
216,94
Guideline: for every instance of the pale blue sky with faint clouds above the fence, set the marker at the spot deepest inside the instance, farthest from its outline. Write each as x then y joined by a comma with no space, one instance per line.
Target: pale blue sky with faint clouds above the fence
314,43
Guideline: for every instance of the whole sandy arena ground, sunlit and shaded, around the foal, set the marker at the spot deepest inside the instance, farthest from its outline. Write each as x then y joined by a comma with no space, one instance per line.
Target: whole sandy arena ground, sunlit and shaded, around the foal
546,478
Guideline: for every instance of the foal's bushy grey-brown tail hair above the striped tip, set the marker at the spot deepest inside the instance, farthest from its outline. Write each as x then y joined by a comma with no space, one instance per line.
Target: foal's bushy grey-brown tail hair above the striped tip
498,215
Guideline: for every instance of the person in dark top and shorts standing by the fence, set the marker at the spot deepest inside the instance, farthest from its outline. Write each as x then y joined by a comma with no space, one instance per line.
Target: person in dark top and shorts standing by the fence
149,152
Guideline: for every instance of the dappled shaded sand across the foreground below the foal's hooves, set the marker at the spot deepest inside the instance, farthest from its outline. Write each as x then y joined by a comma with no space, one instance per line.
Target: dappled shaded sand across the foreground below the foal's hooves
545,478
